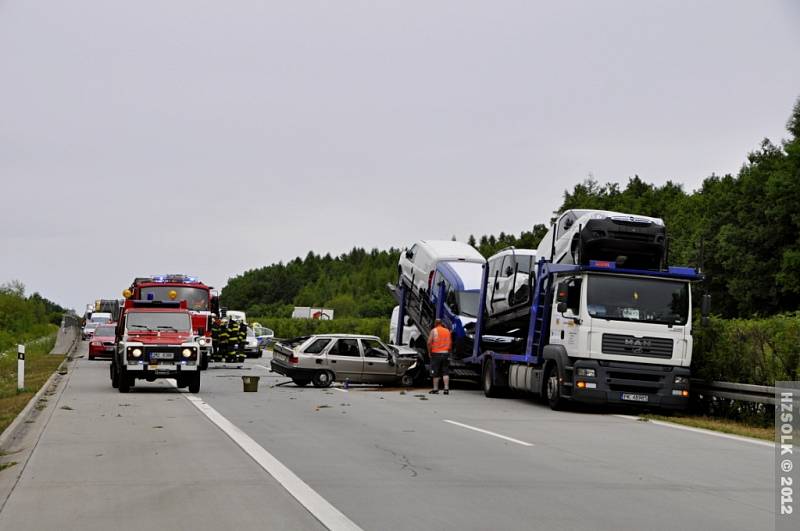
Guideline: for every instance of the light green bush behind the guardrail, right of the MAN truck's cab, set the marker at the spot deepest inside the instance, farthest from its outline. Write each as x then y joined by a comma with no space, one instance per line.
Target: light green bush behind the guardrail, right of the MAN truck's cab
754,351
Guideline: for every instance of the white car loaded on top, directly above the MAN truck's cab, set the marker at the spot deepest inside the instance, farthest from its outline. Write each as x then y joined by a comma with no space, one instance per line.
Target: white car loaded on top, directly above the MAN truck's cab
584,235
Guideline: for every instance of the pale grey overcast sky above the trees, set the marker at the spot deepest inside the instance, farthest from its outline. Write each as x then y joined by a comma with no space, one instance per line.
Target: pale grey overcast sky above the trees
215,137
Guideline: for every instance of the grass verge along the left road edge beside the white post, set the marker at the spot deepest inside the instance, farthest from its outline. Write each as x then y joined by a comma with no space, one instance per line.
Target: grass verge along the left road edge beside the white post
39,365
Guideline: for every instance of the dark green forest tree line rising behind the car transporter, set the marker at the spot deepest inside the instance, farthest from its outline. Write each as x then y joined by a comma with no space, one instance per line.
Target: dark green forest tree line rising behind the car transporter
743,231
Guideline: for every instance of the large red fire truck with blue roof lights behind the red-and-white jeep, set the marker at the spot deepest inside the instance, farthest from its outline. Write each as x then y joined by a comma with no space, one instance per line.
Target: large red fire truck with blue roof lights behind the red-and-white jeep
201,300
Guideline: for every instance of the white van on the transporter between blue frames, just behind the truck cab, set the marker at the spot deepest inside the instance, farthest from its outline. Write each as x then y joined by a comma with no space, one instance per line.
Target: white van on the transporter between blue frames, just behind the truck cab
511,275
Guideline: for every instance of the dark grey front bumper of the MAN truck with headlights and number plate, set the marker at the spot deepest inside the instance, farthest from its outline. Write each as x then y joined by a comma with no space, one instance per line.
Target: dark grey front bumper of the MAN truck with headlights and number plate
606,382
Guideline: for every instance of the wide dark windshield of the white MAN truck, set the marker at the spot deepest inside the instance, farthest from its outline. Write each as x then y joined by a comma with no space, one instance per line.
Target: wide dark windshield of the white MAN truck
638,299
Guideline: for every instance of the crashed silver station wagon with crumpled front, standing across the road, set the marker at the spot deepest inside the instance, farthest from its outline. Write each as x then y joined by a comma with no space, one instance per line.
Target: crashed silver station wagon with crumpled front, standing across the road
325,358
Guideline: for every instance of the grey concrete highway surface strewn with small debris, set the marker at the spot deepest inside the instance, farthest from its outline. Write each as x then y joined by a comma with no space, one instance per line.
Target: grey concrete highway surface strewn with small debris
369,458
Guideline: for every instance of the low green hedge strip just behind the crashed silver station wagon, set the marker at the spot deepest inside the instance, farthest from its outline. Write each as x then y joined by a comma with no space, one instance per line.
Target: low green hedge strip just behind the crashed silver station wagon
286,327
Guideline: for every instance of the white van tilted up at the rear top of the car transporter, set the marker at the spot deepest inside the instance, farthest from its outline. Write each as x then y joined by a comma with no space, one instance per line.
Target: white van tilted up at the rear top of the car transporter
418,263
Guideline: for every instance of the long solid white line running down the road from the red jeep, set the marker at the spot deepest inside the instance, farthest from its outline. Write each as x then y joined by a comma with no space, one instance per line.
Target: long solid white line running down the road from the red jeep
319,507
